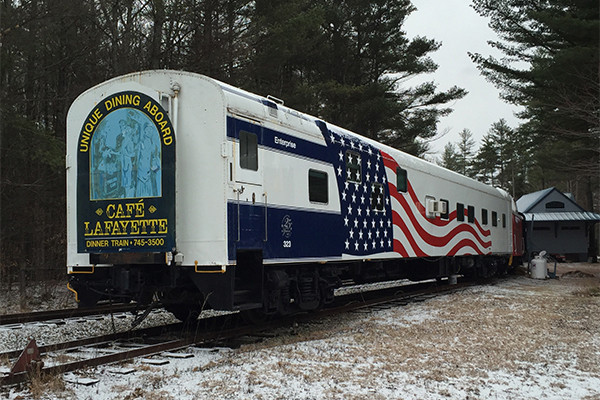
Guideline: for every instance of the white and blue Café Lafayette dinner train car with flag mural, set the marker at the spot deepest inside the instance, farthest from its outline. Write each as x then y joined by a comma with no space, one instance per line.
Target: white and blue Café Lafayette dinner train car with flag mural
200,195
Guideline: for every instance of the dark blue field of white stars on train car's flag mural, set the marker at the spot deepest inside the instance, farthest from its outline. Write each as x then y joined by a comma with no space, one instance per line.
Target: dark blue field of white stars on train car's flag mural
365,201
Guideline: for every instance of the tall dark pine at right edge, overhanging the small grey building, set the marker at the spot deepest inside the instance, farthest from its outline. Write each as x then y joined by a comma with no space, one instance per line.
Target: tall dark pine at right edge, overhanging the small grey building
551,67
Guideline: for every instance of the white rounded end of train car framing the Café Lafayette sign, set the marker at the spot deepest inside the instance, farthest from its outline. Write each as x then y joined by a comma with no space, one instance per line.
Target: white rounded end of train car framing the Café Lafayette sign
197,111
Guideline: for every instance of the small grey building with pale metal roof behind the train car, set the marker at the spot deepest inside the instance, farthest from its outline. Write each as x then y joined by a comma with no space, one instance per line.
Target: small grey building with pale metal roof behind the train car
555,223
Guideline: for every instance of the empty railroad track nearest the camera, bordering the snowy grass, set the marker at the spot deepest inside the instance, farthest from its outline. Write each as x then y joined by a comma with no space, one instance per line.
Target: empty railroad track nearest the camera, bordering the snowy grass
175,337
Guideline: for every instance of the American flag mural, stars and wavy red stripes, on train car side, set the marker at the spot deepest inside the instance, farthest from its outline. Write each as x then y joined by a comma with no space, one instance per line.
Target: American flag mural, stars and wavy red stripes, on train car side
377,218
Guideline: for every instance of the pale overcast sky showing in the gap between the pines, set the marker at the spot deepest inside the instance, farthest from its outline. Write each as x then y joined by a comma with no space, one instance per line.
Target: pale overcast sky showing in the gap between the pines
460,30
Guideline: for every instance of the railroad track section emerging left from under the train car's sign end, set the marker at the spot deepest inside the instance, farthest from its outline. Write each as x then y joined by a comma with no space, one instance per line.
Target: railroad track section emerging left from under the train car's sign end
39,316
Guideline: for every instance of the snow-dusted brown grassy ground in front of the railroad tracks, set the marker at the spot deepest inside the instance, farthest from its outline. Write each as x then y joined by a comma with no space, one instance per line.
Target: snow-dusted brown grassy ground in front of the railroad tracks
518,339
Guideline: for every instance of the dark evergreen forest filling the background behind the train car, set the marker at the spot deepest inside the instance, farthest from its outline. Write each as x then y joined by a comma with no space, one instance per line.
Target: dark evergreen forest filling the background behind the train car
346,61
